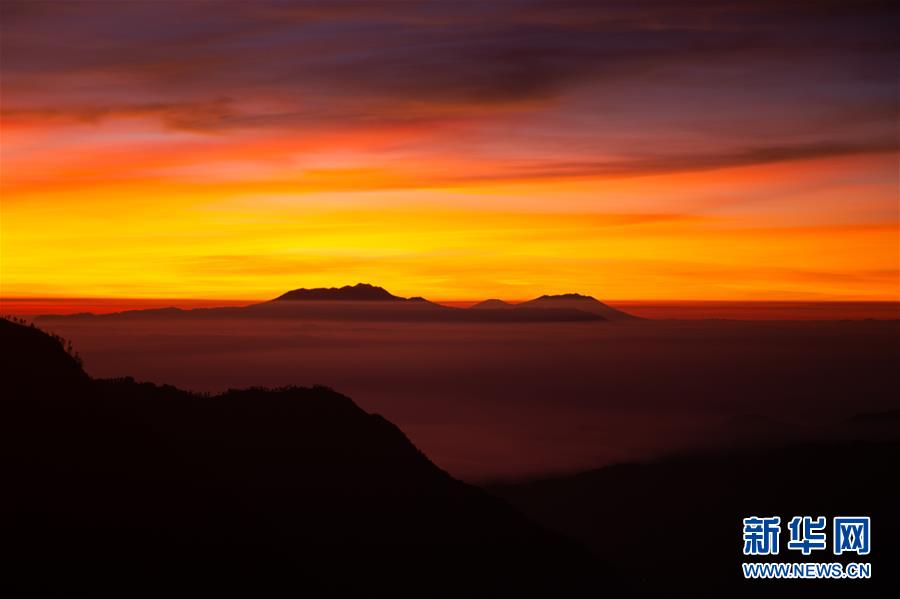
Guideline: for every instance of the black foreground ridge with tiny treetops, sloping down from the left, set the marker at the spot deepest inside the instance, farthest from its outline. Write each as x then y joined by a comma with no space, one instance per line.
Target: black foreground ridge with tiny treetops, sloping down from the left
118,488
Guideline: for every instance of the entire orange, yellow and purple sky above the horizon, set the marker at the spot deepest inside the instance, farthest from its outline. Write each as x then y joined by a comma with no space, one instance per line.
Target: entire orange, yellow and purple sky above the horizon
718,150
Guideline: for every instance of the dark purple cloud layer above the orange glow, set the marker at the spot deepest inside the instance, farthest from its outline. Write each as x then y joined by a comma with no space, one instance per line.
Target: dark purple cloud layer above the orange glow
590,78
